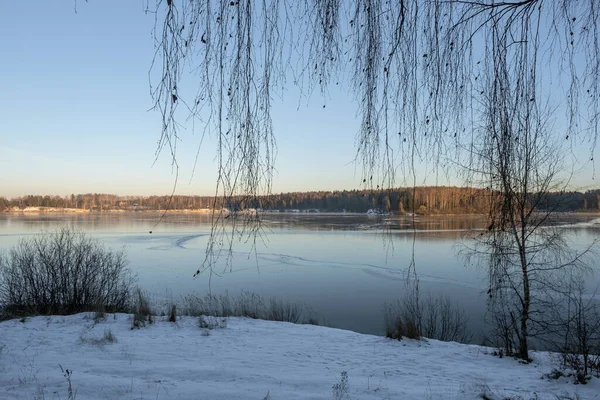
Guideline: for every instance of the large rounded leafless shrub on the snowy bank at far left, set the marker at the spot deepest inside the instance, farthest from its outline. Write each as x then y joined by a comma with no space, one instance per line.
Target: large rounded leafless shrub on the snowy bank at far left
63,272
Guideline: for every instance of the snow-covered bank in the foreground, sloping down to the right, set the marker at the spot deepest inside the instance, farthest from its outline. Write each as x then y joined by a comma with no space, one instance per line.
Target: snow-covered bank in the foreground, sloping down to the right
252,359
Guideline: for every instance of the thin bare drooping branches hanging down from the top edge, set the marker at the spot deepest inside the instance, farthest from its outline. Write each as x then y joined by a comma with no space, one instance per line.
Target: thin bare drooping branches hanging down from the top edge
421,73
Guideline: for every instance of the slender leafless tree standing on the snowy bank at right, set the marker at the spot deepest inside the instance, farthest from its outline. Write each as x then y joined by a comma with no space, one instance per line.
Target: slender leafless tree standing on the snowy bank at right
519,160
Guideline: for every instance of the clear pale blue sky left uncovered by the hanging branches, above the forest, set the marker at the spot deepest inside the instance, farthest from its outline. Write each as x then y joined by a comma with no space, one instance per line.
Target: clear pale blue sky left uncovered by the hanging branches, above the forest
75,112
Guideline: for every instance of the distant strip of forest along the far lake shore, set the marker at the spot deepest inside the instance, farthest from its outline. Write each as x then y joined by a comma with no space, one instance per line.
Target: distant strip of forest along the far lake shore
422,200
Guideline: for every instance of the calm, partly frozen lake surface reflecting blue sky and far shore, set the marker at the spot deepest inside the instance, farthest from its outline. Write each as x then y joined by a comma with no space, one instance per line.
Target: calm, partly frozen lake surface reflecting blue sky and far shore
344,267
